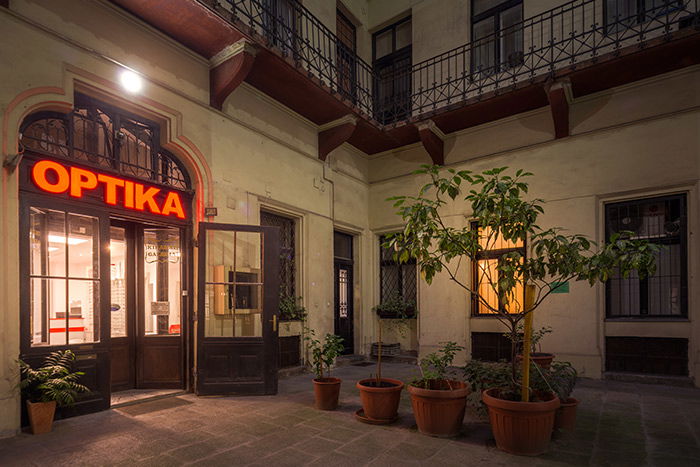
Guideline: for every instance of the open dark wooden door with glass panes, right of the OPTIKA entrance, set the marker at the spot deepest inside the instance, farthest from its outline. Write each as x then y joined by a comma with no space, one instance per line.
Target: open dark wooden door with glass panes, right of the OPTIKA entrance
238,301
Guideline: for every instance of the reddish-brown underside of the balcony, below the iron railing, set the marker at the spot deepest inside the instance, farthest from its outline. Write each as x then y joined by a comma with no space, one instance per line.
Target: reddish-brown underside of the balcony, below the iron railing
203,31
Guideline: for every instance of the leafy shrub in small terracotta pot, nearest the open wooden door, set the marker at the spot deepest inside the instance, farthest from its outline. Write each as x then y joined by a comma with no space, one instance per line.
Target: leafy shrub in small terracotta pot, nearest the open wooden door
323,355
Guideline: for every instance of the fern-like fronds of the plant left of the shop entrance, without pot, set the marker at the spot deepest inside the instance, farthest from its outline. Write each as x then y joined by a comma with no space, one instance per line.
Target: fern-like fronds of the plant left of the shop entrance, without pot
54,381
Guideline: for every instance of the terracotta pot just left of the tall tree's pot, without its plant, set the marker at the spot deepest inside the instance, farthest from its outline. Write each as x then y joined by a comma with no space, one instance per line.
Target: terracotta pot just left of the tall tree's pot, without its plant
439,411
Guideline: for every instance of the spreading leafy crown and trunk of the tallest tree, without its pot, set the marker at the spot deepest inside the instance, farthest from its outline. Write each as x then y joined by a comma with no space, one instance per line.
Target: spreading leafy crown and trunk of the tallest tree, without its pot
497,203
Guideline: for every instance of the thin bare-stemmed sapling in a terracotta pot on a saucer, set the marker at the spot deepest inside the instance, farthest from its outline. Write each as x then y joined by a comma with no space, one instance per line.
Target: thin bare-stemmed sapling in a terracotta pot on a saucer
380,397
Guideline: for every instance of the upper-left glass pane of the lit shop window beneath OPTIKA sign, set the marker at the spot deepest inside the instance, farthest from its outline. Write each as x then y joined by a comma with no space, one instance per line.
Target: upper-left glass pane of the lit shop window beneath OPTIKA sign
47,238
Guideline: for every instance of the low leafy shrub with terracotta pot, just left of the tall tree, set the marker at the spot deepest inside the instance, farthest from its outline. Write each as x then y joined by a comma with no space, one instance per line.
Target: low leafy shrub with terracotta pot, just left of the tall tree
438,401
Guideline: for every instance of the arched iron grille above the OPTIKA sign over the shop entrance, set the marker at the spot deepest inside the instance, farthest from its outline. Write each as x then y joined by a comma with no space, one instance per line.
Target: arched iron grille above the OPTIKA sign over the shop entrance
100,135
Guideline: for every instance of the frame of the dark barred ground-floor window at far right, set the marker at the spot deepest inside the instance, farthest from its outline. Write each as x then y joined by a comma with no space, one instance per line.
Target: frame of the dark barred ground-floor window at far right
683,258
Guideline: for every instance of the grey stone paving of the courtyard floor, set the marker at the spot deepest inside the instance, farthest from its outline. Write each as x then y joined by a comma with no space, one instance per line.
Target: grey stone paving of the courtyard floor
618,424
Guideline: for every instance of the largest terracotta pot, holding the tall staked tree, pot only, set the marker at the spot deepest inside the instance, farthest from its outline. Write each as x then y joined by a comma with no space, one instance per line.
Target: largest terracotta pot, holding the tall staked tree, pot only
522,428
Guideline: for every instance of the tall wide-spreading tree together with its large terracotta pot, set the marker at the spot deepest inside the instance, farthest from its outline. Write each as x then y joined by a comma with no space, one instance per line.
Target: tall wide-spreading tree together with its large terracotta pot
521,421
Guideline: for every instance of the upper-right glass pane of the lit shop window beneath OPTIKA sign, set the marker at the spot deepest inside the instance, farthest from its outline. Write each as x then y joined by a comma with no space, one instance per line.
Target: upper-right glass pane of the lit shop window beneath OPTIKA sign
83,251
